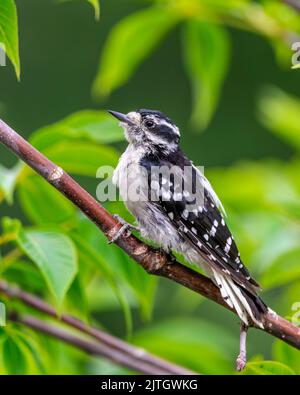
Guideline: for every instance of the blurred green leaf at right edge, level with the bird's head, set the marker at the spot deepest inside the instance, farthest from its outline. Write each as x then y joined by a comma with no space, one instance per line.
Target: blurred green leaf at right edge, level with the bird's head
279,112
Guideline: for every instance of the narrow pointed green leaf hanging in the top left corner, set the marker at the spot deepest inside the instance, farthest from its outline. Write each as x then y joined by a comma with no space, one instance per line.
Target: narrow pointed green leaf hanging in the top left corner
9,32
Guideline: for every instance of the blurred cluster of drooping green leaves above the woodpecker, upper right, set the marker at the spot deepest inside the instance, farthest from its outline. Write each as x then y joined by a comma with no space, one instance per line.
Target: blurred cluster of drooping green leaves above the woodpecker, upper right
205,42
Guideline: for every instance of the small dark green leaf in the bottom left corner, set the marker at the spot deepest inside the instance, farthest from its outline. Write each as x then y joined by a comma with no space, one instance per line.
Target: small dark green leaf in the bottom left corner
13,357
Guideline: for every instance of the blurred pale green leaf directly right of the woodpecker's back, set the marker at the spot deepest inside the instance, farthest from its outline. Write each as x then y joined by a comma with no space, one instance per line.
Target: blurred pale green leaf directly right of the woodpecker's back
271,184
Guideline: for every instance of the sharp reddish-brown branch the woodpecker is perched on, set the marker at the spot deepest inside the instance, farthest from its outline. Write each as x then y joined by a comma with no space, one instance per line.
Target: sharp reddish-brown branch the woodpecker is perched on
153,261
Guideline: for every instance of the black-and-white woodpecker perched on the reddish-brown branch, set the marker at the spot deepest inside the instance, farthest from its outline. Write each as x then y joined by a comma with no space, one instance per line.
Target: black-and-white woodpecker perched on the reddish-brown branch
176,208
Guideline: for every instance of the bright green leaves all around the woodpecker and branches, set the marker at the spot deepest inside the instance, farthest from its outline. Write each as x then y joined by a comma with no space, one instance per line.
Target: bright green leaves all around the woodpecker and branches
52,250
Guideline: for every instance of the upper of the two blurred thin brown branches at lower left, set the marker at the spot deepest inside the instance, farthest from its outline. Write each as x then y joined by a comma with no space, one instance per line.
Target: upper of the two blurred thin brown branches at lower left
143,361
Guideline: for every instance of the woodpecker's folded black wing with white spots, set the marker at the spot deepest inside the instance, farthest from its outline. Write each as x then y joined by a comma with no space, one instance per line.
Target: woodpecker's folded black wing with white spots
203,226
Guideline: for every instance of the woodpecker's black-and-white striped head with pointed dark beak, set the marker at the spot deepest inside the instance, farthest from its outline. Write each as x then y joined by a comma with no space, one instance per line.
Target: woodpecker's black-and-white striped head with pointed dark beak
149,127
